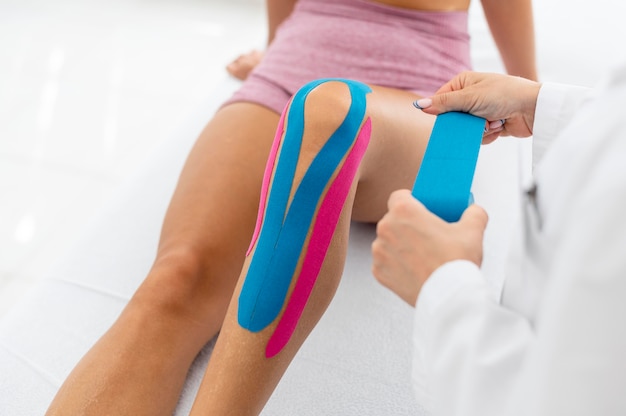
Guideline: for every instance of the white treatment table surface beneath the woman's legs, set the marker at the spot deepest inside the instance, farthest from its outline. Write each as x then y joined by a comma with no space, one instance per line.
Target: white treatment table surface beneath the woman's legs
355,362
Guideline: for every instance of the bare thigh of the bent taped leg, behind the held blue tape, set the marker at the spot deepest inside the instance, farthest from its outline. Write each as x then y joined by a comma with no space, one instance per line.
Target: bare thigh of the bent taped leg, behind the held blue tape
400,134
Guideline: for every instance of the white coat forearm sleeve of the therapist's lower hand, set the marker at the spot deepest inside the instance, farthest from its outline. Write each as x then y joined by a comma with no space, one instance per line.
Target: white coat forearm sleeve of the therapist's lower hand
466,346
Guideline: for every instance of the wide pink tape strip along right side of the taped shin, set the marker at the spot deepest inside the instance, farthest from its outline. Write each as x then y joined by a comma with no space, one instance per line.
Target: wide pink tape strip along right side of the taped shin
323,231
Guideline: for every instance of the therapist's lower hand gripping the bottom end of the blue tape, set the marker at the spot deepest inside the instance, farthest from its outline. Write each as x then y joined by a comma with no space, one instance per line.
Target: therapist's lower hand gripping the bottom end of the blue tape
412,243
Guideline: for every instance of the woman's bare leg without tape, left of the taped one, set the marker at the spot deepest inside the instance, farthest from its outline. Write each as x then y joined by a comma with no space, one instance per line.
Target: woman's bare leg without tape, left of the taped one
138,367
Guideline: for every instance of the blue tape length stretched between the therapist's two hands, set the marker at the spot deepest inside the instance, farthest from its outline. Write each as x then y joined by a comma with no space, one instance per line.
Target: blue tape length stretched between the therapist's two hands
443,183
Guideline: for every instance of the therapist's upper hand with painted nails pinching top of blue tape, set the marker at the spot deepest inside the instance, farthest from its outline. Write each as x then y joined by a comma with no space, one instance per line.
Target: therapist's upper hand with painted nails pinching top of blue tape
495,97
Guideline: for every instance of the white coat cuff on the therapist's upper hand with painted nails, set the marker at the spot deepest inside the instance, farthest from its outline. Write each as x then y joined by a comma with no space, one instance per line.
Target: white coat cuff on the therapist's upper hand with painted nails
556,105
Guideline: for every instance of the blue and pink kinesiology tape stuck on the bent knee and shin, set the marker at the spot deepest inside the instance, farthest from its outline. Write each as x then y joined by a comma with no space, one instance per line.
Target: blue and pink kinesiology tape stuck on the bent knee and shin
279,240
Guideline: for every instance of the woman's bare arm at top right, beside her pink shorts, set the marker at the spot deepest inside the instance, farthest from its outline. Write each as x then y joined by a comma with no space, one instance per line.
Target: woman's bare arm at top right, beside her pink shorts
512,28
